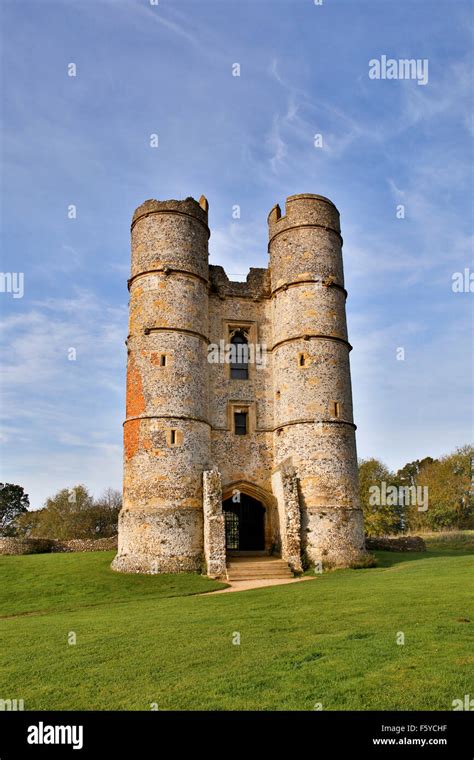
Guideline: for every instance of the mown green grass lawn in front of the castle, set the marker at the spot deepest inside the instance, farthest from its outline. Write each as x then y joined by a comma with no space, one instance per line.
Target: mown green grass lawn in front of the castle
143,640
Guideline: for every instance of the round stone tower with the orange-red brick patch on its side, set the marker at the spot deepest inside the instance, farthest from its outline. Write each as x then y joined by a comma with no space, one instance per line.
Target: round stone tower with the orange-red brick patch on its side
166,430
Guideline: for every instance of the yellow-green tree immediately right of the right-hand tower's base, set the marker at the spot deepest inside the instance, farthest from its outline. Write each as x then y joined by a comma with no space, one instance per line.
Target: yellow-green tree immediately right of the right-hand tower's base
383,513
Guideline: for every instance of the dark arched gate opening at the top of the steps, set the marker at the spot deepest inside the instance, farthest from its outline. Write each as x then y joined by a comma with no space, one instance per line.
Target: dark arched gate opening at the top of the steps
244,524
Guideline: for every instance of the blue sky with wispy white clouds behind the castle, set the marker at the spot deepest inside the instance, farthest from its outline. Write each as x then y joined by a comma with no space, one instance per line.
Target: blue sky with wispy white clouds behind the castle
248,140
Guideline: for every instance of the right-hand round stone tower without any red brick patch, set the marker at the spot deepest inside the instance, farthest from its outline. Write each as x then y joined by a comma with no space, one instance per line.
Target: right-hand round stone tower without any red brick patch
314,429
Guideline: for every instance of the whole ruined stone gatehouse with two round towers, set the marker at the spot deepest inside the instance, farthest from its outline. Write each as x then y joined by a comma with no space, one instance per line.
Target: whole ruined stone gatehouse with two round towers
255,453
